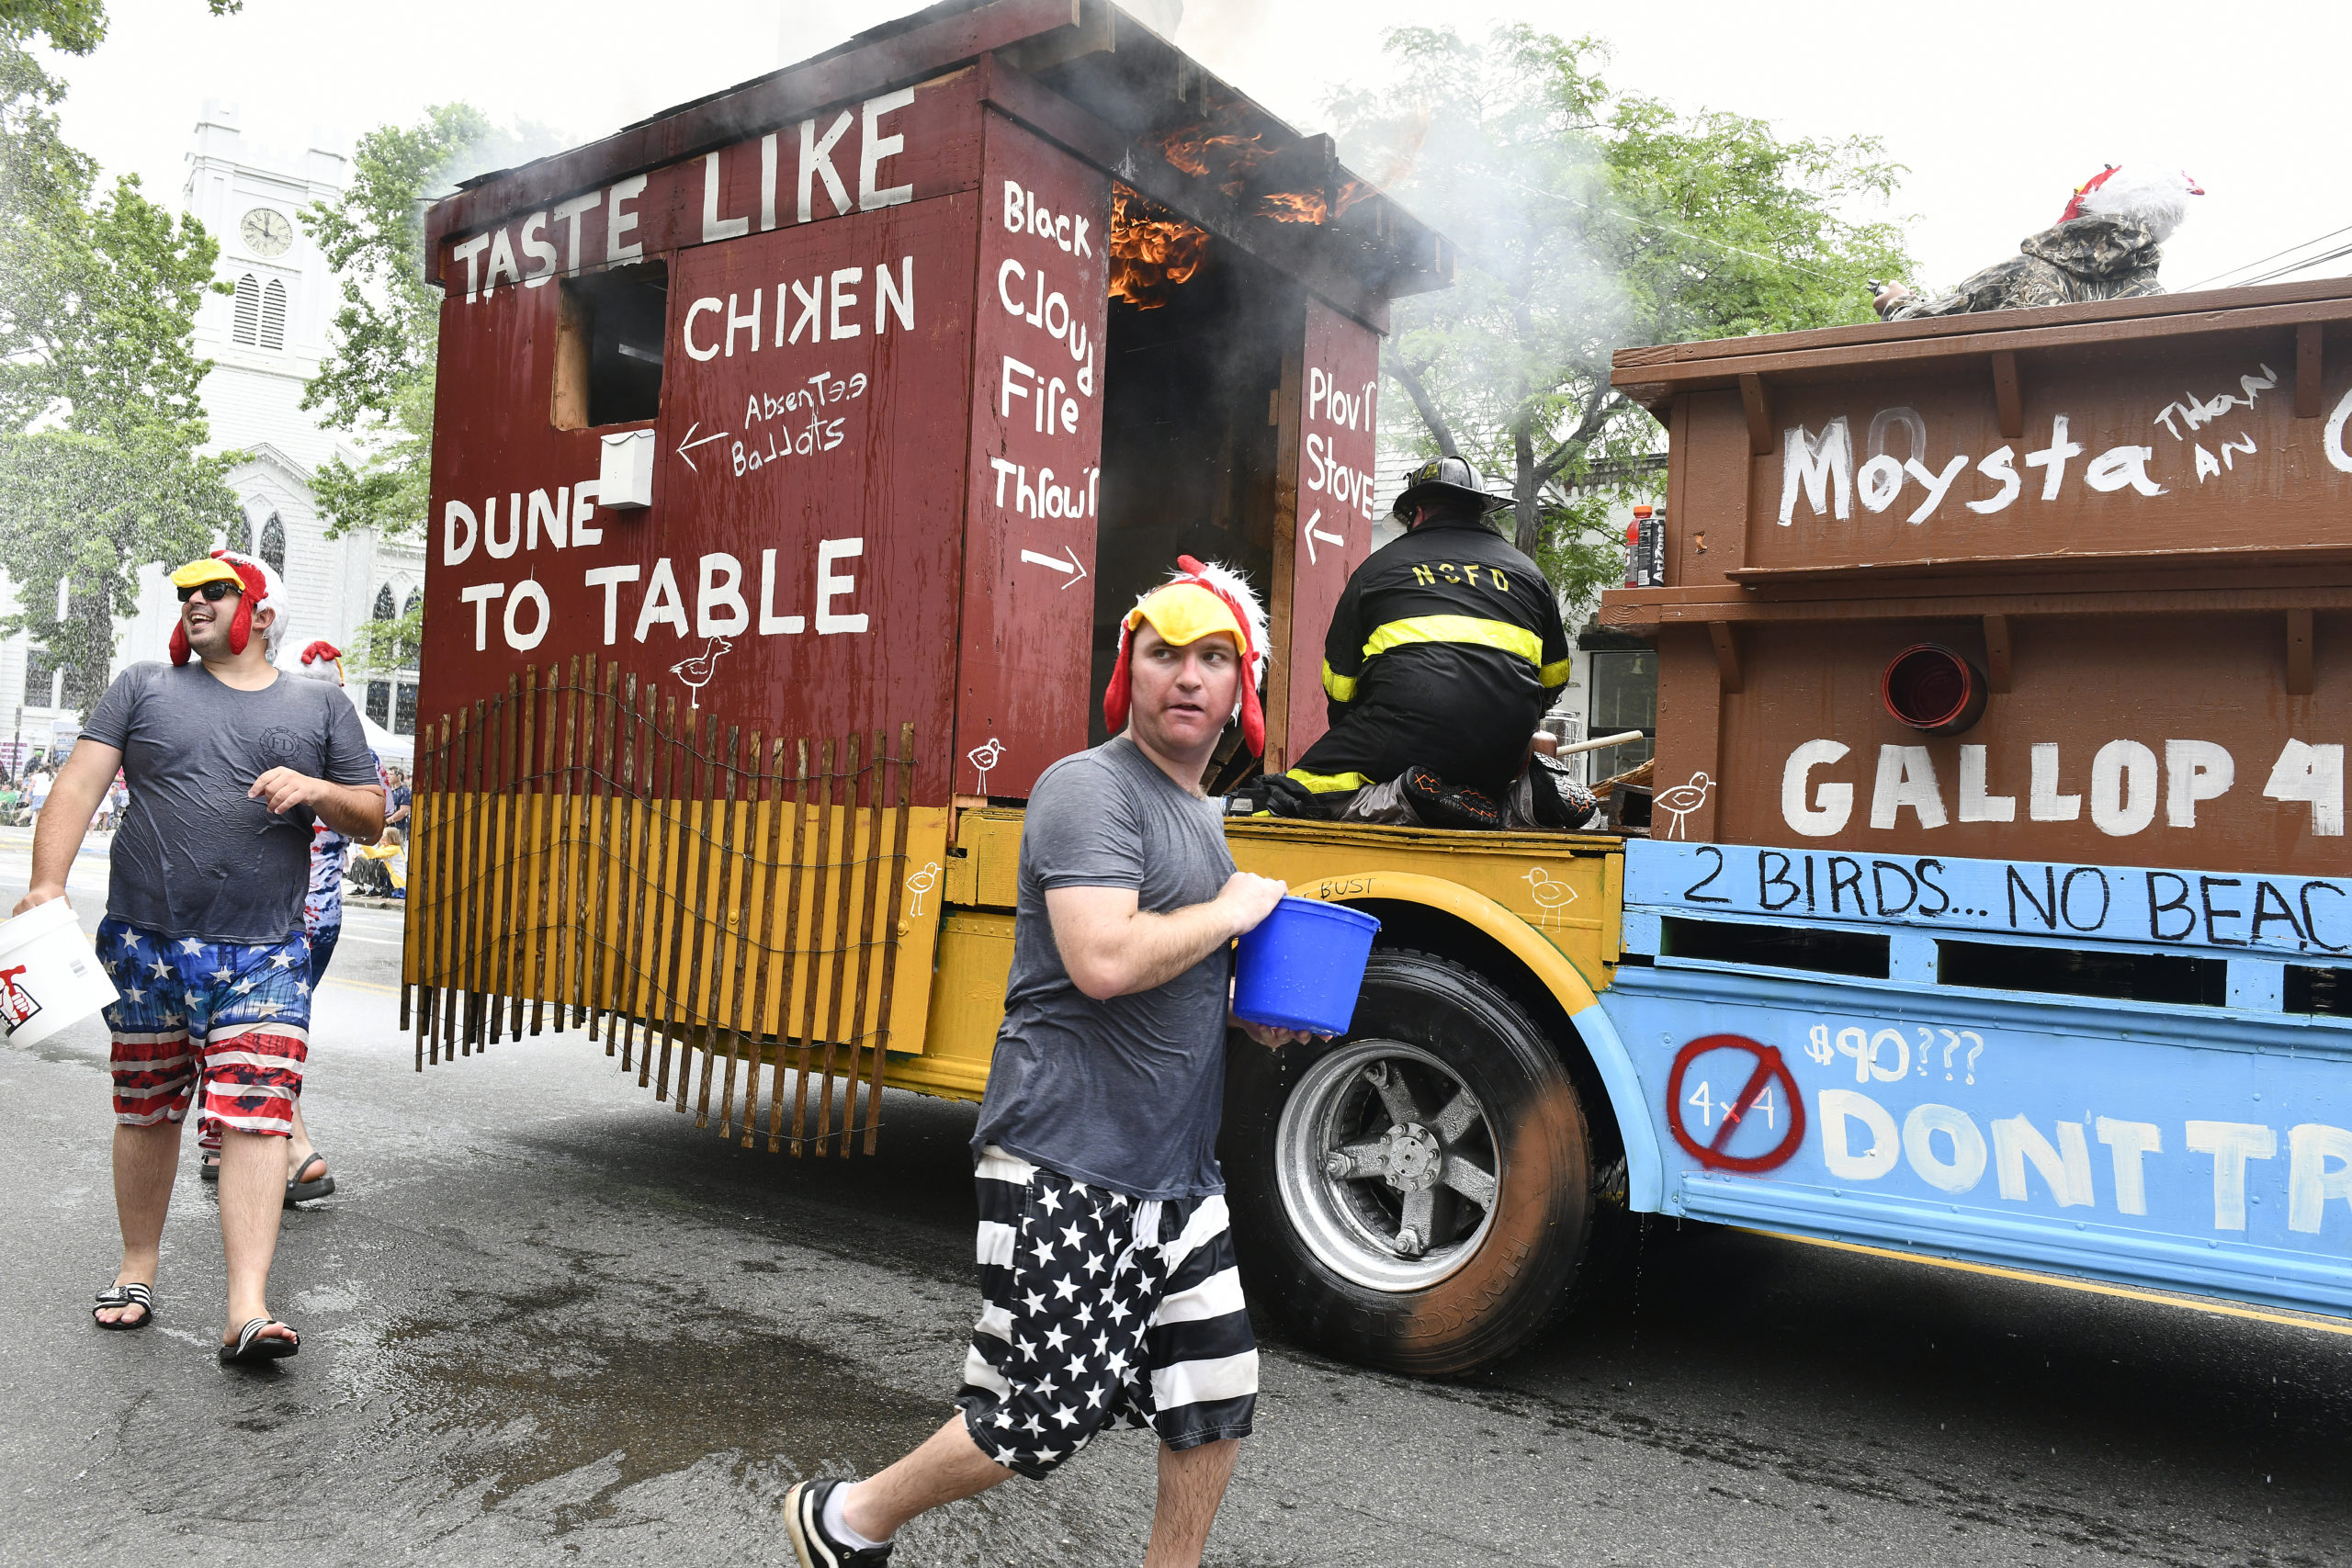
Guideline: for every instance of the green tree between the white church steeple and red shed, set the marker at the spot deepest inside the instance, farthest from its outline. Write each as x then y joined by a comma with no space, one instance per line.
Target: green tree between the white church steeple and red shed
377,382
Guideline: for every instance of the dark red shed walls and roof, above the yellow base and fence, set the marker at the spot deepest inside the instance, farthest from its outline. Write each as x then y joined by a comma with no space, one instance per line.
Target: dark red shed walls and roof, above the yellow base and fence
881,384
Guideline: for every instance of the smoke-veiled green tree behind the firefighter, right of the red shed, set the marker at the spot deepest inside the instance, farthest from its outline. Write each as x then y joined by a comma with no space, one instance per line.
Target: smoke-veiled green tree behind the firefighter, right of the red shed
1584,222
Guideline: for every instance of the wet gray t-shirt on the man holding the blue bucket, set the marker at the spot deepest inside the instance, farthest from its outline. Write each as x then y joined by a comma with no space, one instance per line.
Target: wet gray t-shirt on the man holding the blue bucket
1123,1094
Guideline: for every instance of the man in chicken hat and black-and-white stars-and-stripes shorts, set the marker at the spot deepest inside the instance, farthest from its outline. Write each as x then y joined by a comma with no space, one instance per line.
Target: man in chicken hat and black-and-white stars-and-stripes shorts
1107,1271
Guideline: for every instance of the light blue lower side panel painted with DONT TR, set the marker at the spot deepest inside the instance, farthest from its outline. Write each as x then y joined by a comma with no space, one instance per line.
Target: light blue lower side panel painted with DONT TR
2167,1146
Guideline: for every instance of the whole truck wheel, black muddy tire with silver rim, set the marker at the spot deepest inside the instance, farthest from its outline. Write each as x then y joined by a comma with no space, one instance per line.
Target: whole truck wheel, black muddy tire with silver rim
1419,1193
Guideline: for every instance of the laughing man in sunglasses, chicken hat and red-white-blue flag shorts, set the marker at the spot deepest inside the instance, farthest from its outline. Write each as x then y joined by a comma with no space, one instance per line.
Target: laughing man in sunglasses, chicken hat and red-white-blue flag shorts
203,934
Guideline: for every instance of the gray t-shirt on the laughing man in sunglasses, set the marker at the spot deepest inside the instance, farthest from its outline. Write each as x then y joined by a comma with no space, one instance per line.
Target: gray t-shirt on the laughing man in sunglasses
196,857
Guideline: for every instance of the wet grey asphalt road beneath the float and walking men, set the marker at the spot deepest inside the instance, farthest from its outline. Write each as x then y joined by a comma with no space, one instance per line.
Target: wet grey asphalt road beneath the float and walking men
552,1322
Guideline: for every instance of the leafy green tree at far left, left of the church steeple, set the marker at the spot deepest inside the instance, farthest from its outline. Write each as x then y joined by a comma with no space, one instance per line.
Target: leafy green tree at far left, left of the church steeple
100,413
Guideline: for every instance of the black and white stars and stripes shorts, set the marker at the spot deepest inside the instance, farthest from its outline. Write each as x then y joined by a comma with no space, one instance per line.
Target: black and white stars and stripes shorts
1100,1306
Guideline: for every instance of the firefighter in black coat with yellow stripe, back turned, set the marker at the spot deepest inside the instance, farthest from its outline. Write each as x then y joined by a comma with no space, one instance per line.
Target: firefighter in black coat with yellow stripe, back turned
1443,655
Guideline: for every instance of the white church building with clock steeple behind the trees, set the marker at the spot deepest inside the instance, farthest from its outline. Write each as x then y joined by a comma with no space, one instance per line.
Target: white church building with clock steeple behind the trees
267,342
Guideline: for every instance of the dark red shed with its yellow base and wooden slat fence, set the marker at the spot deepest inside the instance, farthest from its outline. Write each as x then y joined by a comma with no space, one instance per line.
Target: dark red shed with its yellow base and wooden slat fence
796,455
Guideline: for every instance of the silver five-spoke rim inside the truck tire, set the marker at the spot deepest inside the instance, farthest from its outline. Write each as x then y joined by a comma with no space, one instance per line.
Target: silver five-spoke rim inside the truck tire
1389,1165
